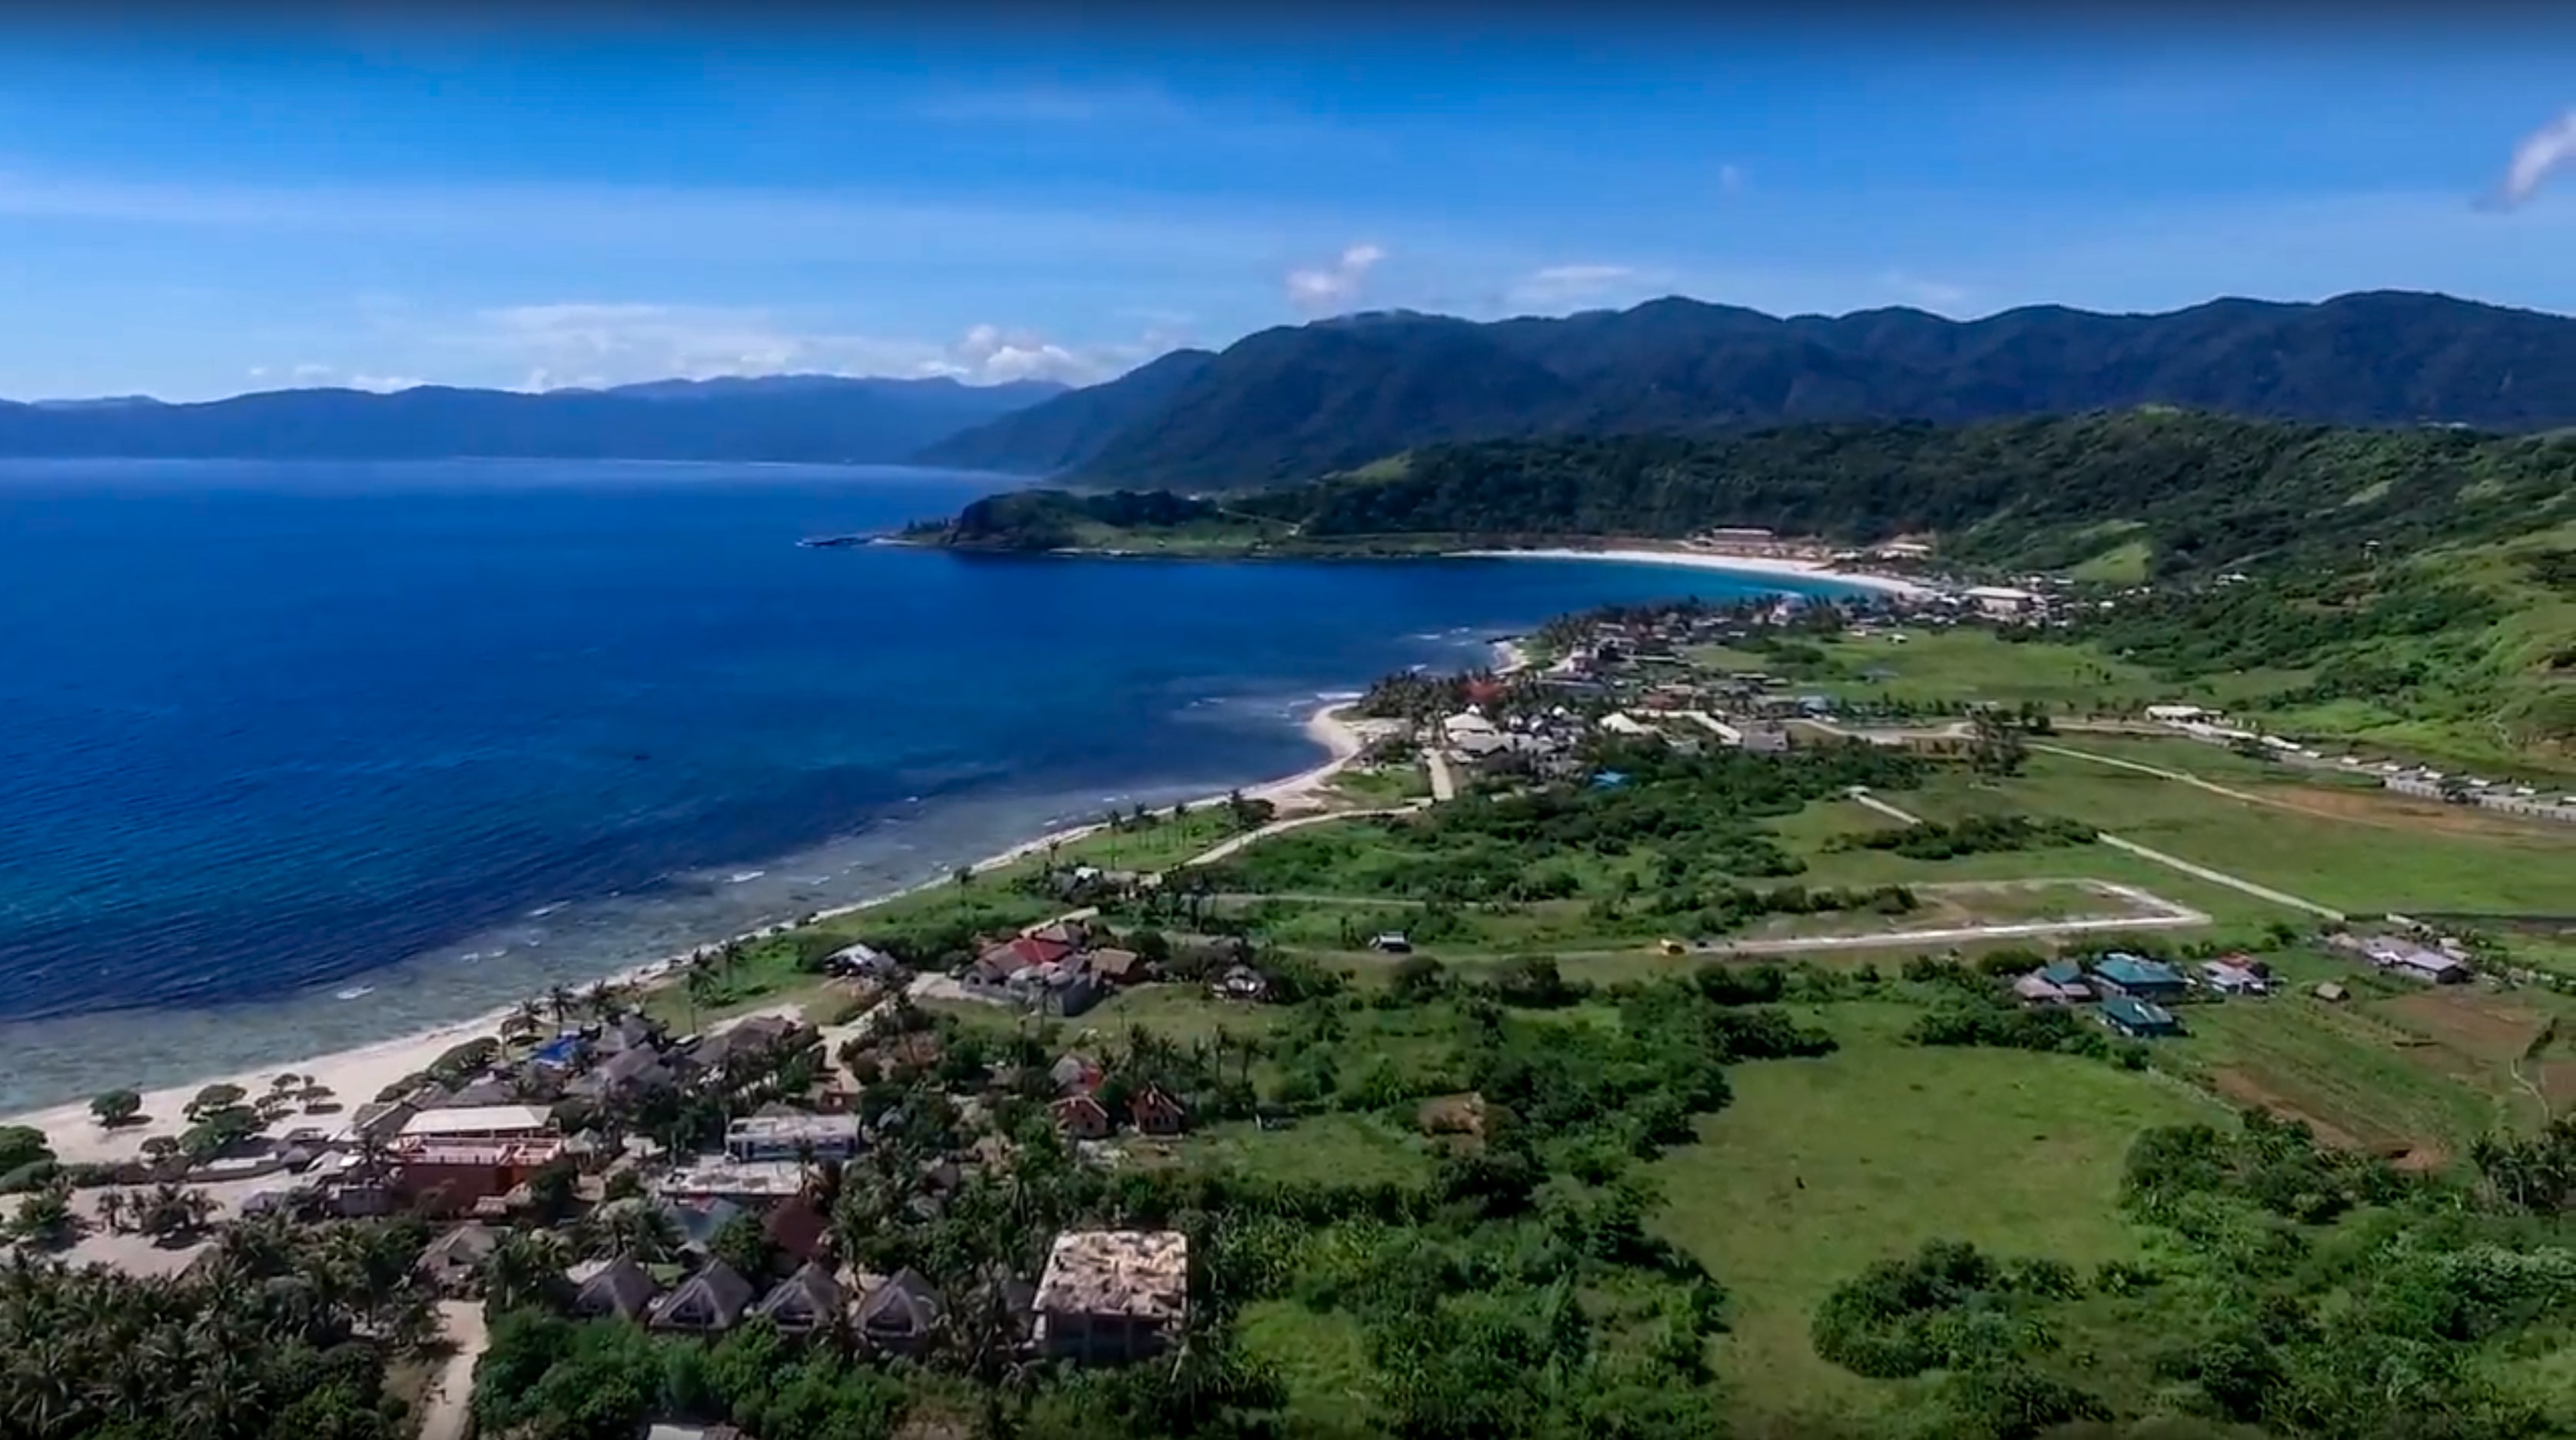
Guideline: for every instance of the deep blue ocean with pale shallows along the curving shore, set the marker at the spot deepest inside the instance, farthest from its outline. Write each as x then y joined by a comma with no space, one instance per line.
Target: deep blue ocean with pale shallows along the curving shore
305,756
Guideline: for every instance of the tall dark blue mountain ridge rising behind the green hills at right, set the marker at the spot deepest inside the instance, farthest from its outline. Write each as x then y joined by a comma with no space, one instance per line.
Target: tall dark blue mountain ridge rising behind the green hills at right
1300,403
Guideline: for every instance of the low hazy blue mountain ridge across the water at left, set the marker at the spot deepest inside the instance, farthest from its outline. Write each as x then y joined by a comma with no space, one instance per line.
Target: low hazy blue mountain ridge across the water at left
735,419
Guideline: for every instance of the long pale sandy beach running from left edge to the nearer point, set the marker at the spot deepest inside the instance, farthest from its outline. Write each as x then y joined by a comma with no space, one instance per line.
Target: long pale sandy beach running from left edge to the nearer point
359,1073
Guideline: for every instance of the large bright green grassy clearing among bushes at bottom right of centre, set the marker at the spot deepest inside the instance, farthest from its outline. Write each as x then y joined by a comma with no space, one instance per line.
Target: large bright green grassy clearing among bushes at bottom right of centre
1825,1166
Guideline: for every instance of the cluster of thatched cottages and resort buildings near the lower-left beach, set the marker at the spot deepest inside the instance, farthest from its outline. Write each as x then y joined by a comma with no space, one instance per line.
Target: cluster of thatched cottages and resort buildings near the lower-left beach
1104,1297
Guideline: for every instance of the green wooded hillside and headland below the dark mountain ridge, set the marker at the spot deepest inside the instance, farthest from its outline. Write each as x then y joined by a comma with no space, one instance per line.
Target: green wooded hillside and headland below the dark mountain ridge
2405,583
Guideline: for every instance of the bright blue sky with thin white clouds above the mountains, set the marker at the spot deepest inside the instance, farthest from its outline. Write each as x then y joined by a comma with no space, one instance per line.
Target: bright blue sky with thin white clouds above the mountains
393,205
